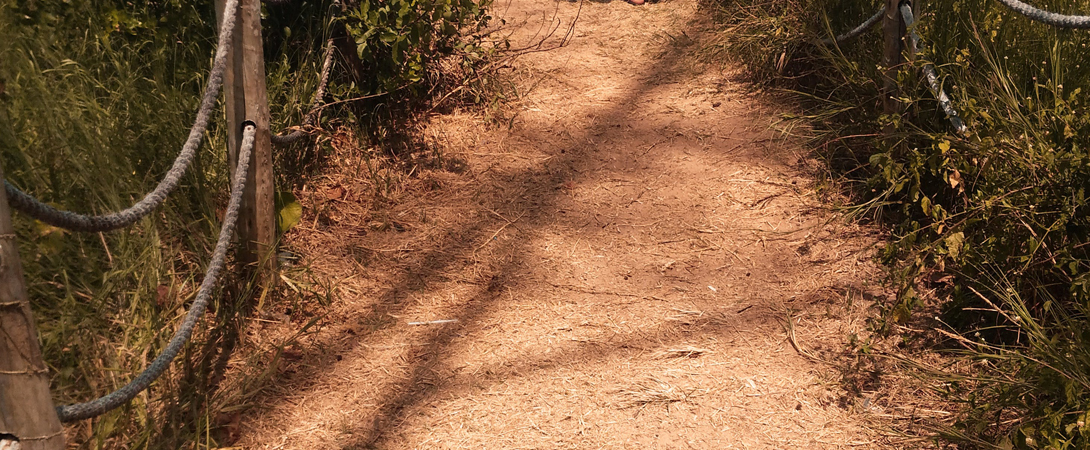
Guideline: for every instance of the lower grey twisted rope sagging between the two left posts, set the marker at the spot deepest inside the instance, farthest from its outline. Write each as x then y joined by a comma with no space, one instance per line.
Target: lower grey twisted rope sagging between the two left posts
154,371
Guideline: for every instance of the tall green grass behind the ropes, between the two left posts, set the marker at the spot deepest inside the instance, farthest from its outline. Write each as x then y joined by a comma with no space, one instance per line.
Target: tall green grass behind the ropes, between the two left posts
96,105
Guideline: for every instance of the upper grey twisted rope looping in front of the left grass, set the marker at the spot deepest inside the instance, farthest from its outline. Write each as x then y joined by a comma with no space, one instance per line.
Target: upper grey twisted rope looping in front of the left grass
35,209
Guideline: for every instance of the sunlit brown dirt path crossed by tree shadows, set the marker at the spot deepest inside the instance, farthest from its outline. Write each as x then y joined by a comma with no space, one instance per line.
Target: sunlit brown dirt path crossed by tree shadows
620,264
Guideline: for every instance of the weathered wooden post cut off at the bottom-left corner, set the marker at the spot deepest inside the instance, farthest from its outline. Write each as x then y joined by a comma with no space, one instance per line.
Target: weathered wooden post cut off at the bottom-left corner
27,408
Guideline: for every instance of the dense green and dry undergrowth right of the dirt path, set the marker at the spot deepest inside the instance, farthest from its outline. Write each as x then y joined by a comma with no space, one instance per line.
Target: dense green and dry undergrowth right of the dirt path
994,224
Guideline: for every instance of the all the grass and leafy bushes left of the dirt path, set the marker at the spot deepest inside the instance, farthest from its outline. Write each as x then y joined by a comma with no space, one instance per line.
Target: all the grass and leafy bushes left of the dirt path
96,100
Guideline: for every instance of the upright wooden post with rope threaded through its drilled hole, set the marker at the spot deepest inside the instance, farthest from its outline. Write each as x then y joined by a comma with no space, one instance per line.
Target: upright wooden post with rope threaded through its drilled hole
246,99
